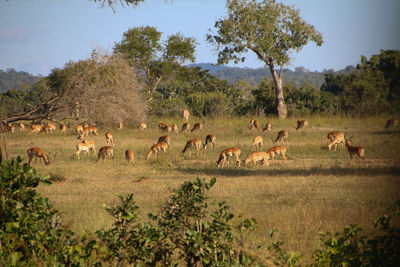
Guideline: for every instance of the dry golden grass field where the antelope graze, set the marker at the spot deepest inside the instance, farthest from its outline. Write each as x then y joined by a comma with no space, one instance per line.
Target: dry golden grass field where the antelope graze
316,190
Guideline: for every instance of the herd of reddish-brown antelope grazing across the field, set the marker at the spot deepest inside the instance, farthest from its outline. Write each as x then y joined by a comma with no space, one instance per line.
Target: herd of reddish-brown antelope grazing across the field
332,139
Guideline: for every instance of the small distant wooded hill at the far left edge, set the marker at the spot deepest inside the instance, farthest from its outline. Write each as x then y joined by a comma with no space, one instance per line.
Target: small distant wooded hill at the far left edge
12,79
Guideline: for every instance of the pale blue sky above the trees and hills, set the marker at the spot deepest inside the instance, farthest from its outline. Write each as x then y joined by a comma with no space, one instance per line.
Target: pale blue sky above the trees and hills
39,35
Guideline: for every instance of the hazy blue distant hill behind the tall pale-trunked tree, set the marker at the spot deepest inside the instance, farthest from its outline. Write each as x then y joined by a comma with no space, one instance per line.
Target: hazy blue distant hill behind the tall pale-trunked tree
254,76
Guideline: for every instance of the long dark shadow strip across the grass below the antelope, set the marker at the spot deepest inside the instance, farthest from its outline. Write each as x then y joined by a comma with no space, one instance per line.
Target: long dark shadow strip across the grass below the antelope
314,171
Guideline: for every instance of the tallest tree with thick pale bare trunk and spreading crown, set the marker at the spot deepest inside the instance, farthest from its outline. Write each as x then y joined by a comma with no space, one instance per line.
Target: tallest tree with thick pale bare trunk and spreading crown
271,30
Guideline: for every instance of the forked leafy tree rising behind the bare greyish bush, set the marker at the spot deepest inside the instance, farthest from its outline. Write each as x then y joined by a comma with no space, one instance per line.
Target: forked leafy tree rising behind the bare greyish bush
143,47
